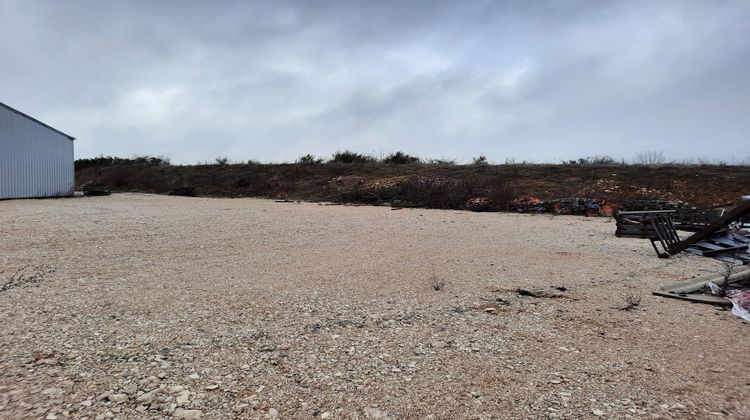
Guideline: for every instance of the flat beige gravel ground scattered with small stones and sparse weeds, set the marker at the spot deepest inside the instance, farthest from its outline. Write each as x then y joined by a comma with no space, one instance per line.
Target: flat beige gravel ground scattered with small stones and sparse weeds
139,306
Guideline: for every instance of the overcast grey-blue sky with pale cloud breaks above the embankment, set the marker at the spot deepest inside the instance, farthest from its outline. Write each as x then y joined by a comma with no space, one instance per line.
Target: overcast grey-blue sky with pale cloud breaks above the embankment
272,80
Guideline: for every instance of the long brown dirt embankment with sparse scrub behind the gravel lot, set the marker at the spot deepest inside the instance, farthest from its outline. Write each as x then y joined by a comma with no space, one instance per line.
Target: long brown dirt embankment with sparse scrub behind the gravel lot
433,186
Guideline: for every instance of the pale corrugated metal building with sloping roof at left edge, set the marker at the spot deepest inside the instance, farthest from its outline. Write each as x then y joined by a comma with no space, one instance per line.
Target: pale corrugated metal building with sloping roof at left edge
36,160
